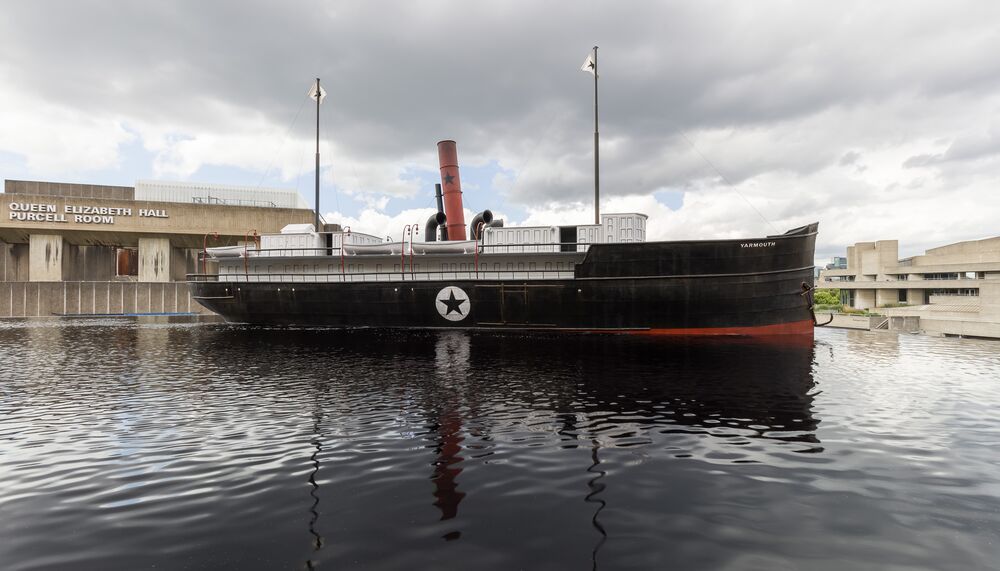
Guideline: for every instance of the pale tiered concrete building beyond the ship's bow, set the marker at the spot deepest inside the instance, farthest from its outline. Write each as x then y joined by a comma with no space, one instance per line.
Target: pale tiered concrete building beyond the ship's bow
953,290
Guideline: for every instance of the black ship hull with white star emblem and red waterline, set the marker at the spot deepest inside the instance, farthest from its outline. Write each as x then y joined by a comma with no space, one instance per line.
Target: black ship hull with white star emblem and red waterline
717,287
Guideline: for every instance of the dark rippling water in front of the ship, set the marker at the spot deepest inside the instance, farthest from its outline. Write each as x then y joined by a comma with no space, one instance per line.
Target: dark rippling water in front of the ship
128,445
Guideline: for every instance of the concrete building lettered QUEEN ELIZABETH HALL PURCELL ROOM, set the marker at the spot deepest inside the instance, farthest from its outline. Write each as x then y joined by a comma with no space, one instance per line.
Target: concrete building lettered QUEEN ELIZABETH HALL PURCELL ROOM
59,239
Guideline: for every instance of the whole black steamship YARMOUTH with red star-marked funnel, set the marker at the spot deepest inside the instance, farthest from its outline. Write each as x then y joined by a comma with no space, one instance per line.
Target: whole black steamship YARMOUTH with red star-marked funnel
601,278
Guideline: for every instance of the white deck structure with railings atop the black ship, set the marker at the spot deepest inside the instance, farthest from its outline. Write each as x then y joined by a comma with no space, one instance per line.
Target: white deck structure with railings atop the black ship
300,254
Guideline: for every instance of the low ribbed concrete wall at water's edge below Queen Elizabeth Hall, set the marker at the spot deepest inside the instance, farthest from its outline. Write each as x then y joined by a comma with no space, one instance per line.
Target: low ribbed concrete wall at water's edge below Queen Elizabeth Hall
46,299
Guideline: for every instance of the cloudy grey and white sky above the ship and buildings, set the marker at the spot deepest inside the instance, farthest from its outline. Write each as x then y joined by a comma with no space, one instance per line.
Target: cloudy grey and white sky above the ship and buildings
880,120
